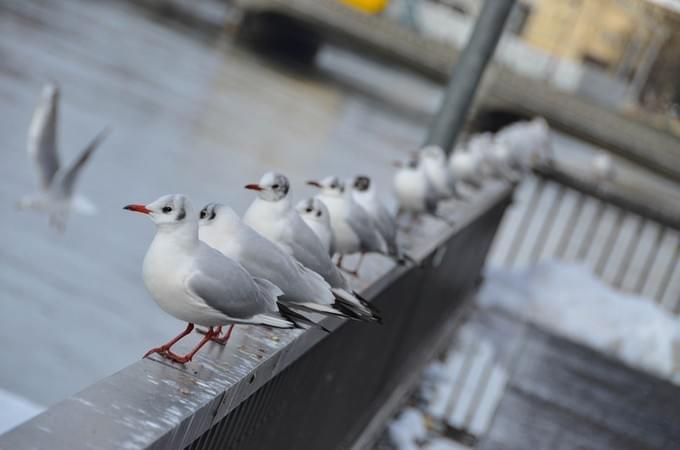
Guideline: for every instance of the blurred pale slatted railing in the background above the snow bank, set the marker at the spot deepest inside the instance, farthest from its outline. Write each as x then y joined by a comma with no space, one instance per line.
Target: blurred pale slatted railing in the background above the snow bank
630,238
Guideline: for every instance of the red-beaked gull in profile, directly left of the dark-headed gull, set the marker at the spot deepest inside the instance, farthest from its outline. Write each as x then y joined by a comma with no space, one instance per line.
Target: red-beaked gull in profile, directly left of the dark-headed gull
353,228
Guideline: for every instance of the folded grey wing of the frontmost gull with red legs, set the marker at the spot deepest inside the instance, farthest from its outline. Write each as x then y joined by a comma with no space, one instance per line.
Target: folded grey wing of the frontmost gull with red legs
226,286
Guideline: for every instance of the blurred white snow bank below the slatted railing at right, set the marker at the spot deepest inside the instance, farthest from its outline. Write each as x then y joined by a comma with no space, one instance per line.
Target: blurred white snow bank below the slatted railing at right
569,299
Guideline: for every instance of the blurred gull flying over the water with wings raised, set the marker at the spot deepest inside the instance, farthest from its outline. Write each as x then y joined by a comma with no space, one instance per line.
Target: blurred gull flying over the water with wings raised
55,183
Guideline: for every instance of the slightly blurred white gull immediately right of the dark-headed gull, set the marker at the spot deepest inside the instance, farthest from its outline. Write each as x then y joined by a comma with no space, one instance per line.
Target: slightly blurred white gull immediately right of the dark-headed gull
415,194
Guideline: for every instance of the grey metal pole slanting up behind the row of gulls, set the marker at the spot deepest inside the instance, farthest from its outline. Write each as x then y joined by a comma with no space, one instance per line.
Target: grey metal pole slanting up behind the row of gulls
467,73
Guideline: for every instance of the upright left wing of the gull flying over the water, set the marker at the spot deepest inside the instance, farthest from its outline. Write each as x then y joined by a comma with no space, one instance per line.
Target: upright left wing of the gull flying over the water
42,140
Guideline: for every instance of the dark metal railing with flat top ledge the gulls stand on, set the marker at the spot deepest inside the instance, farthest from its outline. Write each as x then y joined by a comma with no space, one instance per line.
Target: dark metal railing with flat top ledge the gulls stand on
282,389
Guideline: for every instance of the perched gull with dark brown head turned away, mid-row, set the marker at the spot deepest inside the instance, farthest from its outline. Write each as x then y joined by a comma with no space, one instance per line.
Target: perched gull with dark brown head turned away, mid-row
364,193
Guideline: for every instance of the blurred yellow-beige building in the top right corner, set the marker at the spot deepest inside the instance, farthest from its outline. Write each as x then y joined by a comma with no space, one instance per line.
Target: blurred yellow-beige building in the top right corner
632,40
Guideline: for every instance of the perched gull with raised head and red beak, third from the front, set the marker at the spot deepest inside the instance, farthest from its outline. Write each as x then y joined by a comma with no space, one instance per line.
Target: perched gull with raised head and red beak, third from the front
272,215
